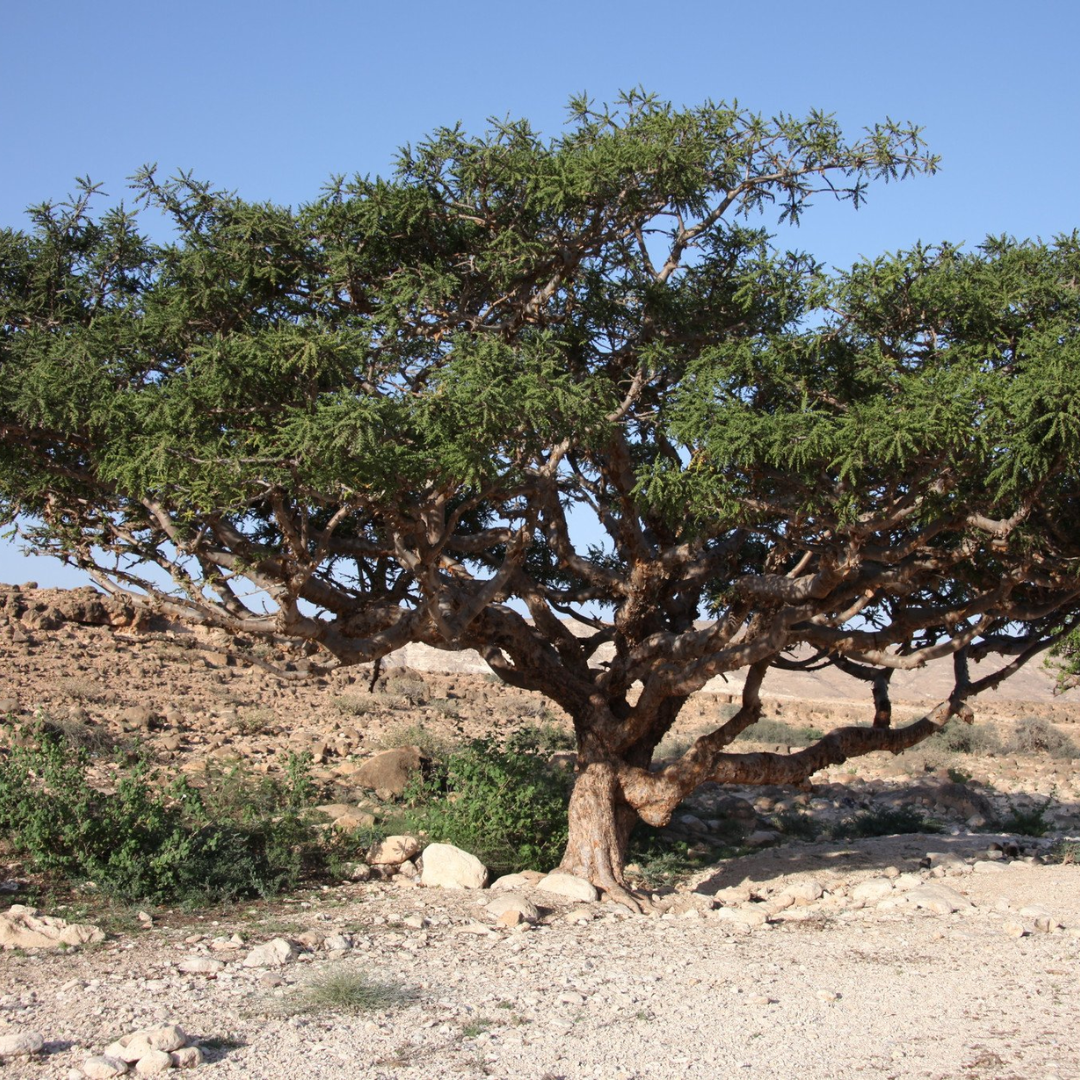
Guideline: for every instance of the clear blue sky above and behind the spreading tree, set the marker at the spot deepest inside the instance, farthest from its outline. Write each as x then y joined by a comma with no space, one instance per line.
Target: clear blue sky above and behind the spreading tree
271,99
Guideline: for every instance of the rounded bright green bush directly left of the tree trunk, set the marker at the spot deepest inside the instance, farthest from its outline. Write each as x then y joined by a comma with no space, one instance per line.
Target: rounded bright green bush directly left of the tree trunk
506,804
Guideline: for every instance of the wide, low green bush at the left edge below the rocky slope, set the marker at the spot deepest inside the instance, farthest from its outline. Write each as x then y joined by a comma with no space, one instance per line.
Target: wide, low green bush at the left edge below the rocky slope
143,843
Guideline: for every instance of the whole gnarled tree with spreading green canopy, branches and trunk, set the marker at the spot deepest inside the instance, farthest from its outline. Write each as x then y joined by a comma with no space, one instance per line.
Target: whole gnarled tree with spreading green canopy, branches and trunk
534,397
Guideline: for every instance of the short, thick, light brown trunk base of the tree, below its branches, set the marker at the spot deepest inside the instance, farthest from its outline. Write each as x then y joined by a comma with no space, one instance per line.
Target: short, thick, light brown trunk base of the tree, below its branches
600,825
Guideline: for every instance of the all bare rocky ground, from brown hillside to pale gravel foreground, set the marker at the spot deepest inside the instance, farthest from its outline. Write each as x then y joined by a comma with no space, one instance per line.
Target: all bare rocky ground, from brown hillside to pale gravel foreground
944,956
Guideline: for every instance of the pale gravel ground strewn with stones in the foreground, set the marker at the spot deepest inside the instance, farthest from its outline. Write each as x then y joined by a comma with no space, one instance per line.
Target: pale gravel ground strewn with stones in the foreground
825,989
